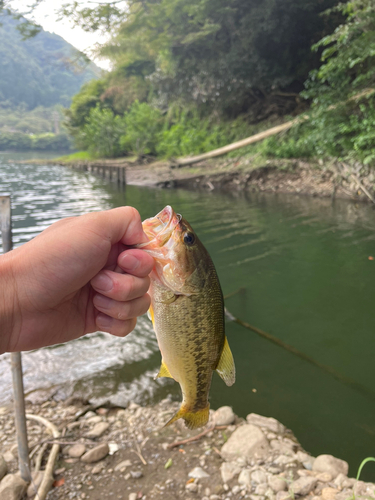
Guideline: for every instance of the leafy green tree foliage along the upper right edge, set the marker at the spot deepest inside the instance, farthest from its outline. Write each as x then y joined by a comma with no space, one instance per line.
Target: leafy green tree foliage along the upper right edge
342,118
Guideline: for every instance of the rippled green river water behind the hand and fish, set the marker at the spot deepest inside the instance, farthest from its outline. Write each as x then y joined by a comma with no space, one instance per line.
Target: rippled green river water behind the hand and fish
304,274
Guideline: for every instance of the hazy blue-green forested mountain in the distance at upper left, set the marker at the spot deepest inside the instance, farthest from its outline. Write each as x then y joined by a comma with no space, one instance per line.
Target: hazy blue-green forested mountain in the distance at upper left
41,71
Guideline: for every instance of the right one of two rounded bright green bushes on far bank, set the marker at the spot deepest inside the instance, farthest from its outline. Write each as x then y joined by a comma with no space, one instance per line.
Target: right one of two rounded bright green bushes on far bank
143,125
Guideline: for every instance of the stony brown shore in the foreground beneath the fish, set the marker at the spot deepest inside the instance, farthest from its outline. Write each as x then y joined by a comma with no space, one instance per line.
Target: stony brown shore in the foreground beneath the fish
127,454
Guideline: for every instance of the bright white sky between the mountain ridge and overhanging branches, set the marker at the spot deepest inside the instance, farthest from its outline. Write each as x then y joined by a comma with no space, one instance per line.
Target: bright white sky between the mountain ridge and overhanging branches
46,16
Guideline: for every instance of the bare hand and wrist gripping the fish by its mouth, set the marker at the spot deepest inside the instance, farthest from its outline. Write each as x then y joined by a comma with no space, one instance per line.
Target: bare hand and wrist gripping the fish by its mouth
76,277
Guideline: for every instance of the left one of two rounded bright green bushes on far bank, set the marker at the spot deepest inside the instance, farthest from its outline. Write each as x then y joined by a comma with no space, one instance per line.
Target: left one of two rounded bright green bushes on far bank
101,133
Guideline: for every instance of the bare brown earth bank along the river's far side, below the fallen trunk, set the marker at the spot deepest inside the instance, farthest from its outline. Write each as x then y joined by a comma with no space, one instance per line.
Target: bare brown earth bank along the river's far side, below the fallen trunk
244,173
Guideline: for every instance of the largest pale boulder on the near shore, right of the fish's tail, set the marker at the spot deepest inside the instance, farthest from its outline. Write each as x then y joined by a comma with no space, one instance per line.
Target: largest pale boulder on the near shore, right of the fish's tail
246,441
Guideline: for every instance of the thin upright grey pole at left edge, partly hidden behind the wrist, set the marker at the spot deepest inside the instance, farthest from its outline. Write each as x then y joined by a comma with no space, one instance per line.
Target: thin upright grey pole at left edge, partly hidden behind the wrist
16,362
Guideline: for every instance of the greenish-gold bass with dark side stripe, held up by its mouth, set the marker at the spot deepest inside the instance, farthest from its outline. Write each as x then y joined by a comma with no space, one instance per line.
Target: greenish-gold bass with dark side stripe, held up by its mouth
187,313
